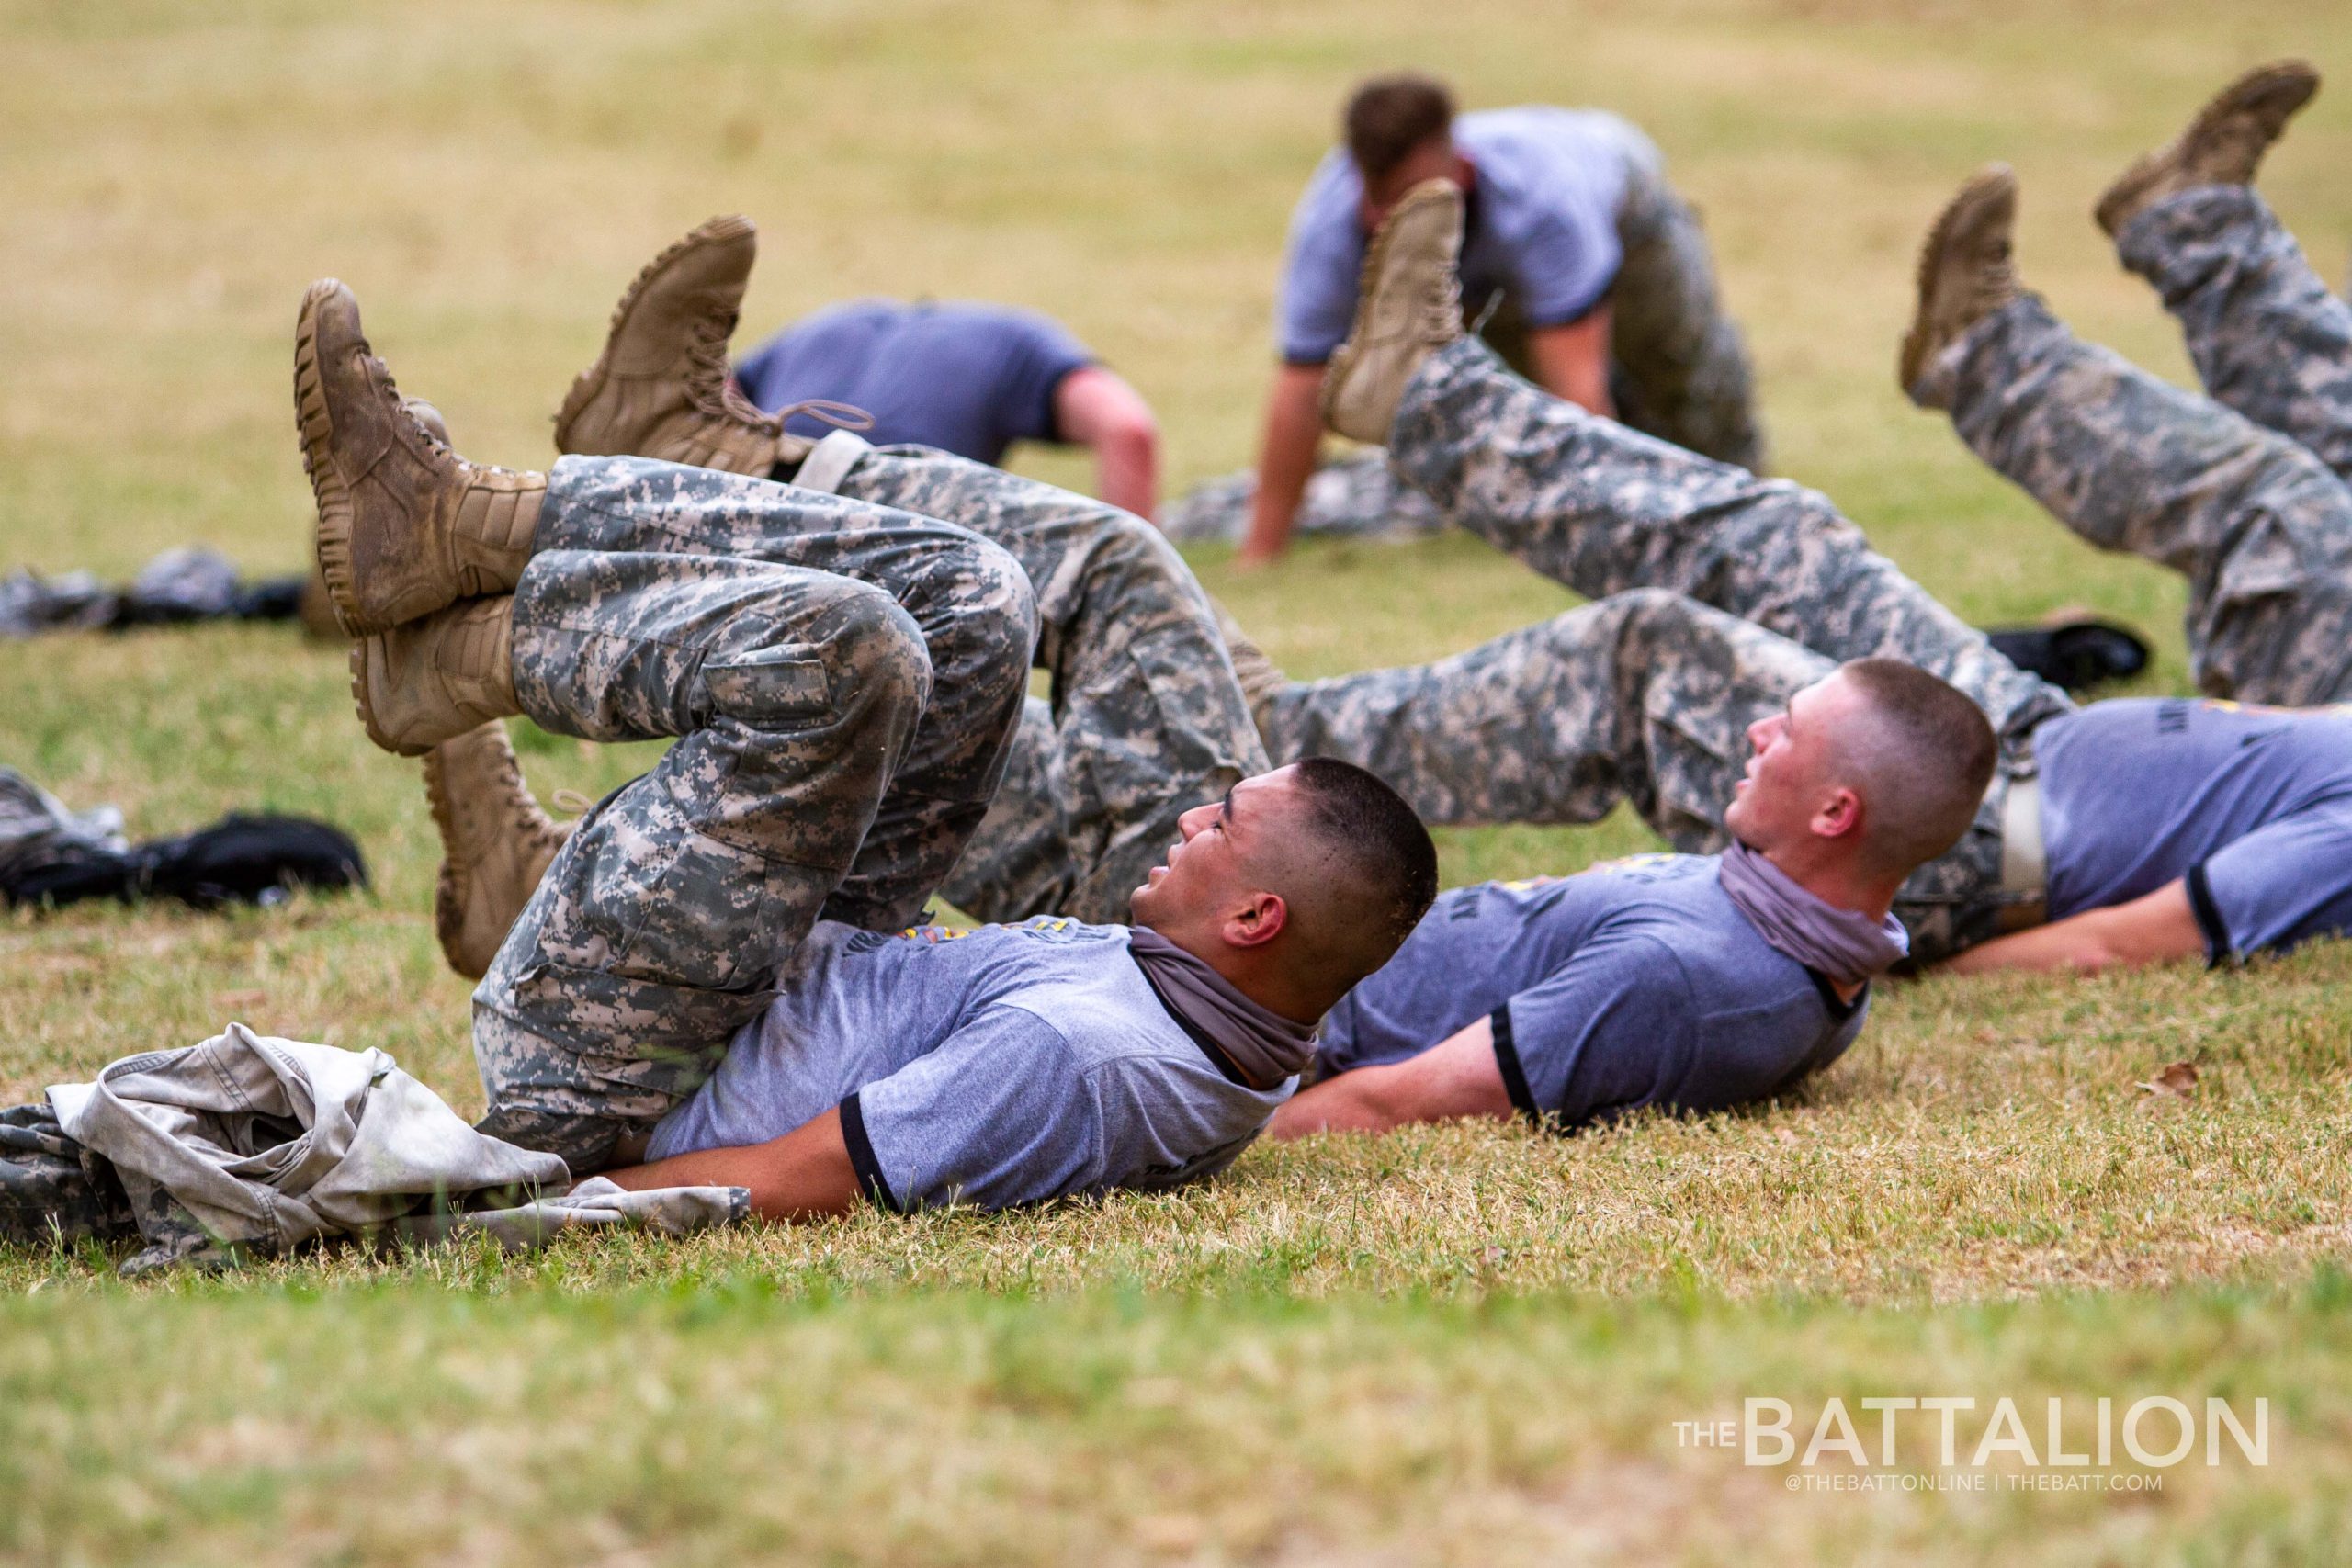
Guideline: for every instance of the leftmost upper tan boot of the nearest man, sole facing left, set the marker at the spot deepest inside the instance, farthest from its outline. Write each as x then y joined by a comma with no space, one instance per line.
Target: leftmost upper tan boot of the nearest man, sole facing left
406,525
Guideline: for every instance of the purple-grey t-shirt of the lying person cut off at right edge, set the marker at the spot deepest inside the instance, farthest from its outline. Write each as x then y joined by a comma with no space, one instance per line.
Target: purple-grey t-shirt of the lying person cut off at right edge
2250,805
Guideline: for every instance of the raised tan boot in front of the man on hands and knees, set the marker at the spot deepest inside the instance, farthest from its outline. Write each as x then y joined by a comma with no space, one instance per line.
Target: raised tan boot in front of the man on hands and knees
1408,309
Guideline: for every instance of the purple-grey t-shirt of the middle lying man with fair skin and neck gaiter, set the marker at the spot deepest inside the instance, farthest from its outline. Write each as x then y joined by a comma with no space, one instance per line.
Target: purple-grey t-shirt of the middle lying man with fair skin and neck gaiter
1631,984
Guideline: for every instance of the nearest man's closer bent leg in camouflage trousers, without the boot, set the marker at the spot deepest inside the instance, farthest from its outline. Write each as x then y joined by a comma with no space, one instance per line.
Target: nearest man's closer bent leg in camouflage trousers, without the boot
796,697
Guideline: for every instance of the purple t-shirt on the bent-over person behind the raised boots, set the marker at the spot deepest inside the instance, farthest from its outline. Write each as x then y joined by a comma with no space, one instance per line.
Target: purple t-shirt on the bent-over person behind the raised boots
961,377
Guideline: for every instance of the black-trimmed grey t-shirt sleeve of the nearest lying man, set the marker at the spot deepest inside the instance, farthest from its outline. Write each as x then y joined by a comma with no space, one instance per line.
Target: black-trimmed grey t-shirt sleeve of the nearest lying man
998,1115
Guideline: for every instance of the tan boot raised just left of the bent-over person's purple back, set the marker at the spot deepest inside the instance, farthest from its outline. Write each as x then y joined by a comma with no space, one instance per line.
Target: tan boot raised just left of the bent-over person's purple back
662,387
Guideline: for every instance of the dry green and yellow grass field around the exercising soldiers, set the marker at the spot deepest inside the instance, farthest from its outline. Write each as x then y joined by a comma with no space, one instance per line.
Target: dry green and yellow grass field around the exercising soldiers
1464,1346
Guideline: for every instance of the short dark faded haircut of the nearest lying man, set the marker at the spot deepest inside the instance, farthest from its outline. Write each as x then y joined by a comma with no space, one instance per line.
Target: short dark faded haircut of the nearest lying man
1365,876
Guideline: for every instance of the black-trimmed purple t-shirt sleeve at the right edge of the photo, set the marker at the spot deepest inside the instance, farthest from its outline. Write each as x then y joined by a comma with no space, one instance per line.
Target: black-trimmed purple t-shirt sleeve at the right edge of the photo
2280,885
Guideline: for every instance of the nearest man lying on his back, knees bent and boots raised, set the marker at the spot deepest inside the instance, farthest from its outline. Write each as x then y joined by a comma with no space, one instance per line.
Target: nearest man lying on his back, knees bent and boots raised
719,960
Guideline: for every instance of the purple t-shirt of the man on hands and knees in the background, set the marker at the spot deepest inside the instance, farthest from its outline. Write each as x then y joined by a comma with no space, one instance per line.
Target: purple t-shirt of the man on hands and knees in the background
1542,225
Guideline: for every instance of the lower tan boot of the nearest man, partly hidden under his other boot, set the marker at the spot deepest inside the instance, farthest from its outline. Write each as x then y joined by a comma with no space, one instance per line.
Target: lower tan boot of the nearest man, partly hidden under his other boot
432,681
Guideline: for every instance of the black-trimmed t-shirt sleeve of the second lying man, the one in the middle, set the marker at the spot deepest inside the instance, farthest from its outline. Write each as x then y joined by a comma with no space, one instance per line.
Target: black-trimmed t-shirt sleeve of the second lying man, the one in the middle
1605,1033
